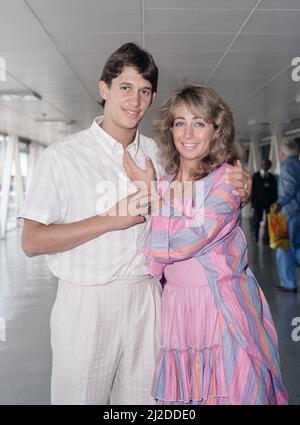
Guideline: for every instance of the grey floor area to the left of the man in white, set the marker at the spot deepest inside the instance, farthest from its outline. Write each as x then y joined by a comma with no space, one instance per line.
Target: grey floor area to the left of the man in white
27,292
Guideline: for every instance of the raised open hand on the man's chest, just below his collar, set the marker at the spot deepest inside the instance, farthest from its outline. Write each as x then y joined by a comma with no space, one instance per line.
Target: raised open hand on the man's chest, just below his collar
136,174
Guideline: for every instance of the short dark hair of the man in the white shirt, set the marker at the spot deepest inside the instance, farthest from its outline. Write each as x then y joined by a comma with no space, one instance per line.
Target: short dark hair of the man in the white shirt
130,54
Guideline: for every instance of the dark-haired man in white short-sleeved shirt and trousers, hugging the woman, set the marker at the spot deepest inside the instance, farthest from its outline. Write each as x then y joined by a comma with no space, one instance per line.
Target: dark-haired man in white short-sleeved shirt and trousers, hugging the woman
105,320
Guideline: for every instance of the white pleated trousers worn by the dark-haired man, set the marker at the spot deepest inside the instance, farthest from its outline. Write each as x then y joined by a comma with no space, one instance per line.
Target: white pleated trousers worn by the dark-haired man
105,340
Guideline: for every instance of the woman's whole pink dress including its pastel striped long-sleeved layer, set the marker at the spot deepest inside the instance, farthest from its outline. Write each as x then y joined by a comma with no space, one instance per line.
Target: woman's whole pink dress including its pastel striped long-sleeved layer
218,341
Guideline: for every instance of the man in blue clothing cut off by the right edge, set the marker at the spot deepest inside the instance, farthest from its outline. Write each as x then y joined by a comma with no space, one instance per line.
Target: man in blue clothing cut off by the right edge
289,201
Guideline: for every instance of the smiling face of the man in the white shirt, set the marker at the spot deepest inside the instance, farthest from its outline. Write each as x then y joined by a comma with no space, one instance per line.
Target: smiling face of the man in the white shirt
127,99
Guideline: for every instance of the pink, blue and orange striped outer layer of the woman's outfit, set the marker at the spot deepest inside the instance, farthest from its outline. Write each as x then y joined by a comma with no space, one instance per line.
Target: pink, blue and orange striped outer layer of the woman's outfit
248,335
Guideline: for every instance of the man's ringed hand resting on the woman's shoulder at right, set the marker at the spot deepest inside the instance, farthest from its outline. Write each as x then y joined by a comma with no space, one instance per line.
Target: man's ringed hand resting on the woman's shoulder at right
239,177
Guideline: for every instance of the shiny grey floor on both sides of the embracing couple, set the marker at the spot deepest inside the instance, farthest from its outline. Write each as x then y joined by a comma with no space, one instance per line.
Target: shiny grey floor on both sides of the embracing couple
27,292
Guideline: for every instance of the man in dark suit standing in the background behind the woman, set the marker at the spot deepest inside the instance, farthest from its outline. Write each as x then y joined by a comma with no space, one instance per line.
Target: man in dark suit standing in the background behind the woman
264,194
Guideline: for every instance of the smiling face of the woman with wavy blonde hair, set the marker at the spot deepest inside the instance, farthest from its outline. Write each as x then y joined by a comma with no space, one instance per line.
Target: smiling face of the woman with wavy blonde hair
192,135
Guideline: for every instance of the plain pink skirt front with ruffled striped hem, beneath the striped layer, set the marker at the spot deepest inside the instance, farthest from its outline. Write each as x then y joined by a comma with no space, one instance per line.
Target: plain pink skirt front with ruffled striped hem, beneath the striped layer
191,340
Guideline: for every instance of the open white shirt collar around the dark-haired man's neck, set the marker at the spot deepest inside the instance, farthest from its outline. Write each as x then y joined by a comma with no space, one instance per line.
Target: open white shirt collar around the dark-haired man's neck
111,144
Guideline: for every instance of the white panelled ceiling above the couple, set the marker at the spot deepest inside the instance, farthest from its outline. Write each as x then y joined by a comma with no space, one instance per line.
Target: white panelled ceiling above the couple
241,48
